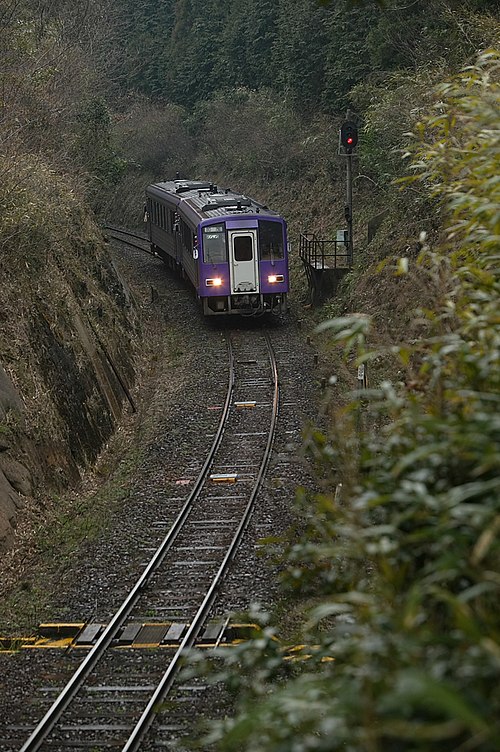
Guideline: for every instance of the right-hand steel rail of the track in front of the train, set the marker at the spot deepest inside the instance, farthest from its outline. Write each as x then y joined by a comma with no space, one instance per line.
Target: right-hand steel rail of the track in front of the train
147,718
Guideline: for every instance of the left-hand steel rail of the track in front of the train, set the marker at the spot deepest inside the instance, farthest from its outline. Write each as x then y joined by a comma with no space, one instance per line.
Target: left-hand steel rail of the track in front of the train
76,682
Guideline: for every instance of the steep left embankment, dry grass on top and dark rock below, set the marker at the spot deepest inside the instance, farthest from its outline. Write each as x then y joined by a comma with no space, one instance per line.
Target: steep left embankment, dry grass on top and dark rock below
67,331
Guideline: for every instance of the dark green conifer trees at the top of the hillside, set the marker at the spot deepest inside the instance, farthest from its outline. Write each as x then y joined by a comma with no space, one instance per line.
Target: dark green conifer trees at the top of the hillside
312,53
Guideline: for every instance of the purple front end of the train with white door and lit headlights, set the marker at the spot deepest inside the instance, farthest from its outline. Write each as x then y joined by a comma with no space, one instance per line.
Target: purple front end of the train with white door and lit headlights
243,264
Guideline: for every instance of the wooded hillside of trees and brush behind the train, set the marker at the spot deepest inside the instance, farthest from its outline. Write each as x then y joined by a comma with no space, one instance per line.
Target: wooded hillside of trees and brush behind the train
124,91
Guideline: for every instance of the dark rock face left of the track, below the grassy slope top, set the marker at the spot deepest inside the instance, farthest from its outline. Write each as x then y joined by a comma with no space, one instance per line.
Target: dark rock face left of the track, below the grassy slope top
66,368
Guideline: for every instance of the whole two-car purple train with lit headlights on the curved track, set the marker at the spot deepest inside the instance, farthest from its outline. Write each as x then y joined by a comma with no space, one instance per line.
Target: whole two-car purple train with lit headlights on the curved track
233,250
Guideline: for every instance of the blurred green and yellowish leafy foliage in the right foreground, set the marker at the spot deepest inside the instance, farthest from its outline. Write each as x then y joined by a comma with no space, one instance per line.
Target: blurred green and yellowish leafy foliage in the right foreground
404,557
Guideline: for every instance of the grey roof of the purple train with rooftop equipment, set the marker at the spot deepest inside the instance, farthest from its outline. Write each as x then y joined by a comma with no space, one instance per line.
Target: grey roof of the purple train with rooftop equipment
206,199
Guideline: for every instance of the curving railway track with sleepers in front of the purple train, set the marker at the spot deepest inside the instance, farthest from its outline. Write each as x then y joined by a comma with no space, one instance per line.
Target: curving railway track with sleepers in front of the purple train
112,698
